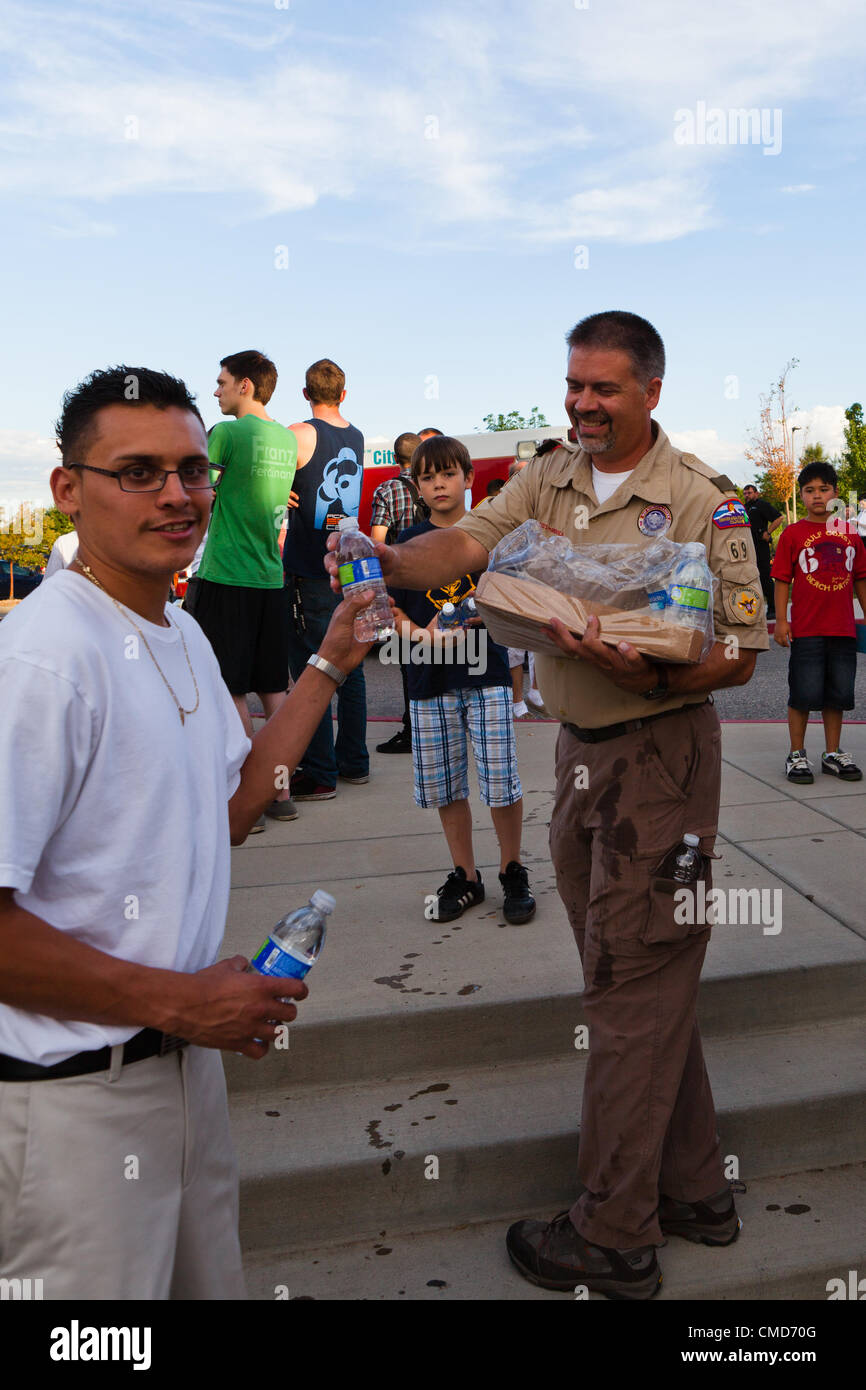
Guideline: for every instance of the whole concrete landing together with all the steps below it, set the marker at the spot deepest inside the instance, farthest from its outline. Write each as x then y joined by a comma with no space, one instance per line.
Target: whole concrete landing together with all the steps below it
458,1040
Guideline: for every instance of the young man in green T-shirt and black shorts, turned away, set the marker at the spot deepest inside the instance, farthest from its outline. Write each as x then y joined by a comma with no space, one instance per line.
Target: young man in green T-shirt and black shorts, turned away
238,591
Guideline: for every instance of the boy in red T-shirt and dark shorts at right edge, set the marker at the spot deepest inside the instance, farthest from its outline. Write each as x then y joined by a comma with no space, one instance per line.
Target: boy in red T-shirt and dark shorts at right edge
828,562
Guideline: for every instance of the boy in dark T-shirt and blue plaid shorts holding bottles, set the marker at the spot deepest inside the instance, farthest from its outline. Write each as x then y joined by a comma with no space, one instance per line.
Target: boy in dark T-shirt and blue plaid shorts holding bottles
459,685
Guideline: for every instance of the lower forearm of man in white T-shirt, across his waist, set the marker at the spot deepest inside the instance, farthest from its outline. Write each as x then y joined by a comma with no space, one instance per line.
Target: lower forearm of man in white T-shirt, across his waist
45,971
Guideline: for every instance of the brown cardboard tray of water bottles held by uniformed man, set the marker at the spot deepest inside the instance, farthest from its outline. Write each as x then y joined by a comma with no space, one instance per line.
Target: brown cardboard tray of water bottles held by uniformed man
516,611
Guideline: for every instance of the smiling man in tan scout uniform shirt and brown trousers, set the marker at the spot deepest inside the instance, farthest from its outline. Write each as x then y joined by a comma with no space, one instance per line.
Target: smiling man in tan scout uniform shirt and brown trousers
650,739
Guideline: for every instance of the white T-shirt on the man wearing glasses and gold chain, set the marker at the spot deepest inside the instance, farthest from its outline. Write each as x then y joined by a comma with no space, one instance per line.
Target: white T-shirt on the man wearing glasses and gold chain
115,824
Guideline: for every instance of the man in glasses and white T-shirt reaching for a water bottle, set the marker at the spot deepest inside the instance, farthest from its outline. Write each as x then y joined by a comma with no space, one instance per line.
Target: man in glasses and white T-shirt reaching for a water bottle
124,776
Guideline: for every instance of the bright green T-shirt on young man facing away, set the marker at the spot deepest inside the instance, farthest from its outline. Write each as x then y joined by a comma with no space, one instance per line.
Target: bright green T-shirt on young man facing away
250,504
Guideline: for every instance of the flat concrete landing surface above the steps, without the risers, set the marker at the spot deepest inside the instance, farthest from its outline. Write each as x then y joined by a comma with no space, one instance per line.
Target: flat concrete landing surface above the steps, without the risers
380,857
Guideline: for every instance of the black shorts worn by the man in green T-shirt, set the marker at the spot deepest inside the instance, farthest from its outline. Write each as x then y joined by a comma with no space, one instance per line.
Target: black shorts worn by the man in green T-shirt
250,633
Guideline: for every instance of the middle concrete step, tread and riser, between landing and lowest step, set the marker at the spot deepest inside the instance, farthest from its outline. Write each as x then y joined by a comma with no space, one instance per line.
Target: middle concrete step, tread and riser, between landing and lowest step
347,1163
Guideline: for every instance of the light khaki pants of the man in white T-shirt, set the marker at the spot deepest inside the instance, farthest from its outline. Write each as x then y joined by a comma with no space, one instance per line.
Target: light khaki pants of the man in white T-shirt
122,1185
